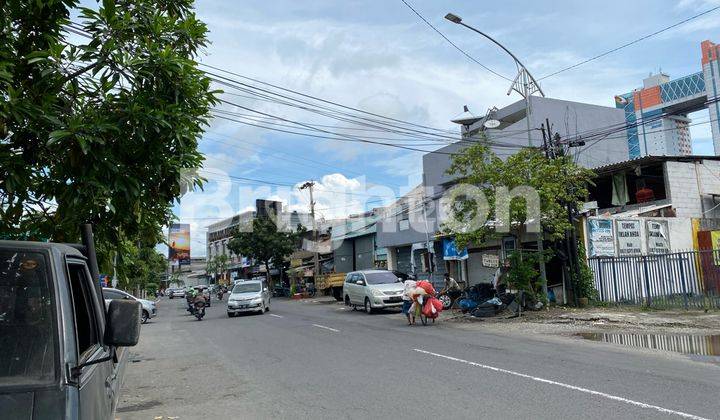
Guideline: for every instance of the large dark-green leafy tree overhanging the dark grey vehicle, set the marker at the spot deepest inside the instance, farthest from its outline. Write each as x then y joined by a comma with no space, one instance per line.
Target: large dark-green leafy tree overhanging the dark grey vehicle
104,132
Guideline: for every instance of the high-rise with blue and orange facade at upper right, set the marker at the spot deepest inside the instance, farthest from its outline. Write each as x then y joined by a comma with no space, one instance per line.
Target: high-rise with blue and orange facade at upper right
657,113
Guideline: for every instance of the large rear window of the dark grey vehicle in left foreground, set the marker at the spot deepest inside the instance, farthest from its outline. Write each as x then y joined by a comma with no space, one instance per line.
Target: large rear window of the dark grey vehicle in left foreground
28,343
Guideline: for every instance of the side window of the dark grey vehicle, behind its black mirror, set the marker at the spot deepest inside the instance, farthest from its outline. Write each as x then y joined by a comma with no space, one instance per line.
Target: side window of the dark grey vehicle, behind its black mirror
82,295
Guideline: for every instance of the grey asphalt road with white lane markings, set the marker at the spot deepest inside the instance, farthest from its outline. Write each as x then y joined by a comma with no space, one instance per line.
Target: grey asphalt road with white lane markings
320,360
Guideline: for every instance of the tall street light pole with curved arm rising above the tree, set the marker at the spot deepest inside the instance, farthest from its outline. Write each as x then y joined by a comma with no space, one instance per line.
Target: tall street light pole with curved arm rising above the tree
524,84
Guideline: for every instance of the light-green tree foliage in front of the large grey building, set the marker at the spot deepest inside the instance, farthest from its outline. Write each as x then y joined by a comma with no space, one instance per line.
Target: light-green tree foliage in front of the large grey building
558,182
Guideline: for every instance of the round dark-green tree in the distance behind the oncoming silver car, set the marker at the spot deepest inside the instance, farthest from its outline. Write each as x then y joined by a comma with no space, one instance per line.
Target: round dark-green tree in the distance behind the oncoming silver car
265,243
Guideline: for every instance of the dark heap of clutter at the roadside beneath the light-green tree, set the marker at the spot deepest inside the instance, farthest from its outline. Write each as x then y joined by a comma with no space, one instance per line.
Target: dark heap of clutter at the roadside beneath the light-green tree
483,300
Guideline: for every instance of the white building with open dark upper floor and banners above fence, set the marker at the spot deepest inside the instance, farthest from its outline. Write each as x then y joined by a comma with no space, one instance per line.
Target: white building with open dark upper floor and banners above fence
680,194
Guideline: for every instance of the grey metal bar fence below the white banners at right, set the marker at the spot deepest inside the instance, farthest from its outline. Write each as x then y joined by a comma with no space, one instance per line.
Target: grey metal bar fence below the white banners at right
688,279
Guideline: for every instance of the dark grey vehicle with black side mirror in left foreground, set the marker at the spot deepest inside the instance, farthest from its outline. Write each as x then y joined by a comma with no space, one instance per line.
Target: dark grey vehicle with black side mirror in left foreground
62,352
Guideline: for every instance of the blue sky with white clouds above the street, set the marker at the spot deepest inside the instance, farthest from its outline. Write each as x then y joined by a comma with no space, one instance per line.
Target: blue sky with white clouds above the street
377,55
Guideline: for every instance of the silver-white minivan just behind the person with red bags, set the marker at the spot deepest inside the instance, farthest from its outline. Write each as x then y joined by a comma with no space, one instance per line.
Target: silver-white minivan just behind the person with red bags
372,289
